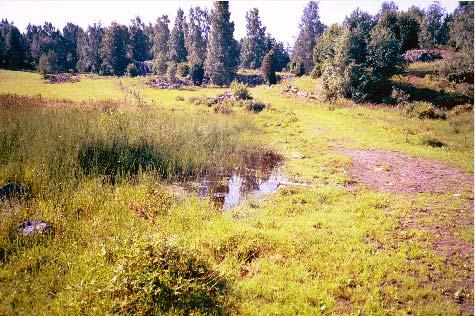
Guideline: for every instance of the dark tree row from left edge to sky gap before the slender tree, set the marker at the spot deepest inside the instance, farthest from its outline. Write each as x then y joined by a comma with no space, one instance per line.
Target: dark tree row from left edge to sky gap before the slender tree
203,39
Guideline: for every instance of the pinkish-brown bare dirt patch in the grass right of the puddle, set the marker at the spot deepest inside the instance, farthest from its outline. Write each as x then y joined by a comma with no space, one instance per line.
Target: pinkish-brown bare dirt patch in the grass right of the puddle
393,172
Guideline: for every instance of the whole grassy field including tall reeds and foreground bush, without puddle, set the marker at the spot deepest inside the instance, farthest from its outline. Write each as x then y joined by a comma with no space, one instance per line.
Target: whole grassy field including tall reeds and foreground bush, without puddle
314,249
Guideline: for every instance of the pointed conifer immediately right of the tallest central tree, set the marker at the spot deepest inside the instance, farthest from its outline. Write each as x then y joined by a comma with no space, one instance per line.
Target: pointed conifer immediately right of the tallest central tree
254,44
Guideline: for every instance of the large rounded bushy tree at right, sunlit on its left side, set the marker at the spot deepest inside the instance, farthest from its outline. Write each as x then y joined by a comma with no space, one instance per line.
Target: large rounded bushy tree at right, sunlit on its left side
362,66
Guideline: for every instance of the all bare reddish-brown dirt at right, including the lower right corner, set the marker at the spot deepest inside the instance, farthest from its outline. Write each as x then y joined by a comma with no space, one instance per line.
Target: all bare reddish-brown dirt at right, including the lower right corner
394,172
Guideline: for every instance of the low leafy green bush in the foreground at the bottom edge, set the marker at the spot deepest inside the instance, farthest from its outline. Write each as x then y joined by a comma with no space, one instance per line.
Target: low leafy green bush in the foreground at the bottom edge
161,277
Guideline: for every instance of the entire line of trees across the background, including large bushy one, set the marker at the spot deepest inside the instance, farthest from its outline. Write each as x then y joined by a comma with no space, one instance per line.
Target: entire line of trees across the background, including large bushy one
355,58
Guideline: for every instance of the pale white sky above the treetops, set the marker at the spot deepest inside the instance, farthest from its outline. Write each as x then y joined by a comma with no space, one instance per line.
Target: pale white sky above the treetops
280,17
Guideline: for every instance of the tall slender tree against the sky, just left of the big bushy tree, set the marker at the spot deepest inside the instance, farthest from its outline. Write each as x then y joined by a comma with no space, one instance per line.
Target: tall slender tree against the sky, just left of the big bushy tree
310,30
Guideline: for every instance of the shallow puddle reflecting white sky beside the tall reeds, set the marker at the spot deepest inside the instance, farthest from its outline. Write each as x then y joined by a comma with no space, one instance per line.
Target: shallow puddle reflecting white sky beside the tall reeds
260,176
